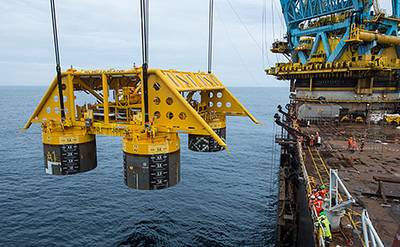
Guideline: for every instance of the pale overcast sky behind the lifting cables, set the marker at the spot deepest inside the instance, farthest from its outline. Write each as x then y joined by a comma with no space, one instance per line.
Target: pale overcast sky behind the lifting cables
106,34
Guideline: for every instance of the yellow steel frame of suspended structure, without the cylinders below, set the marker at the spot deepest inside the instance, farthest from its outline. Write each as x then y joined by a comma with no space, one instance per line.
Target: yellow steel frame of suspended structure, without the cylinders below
185,118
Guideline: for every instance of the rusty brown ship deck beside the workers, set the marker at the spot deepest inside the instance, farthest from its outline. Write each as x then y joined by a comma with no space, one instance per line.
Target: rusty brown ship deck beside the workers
361,171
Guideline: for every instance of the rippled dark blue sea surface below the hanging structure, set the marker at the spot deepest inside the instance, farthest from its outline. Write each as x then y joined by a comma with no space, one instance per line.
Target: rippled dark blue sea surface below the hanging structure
223,199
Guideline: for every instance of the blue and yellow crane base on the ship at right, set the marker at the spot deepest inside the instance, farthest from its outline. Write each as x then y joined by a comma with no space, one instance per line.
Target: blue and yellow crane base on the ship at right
343,52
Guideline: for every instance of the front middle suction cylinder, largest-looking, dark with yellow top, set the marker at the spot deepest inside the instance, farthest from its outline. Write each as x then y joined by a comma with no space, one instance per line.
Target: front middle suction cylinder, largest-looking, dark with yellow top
152,163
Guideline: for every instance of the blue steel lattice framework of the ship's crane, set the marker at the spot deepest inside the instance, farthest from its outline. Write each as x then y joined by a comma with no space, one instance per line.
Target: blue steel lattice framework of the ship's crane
297,11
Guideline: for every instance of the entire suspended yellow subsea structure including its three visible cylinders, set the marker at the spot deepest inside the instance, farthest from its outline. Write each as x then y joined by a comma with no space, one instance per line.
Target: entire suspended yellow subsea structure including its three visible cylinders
178,102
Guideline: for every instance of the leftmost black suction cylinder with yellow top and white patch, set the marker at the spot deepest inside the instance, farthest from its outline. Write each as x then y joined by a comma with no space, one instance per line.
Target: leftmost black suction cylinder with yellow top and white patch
69,152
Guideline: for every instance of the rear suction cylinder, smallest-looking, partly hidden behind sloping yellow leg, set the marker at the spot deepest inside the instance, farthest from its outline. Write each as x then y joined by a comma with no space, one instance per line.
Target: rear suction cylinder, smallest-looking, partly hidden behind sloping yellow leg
205,143
